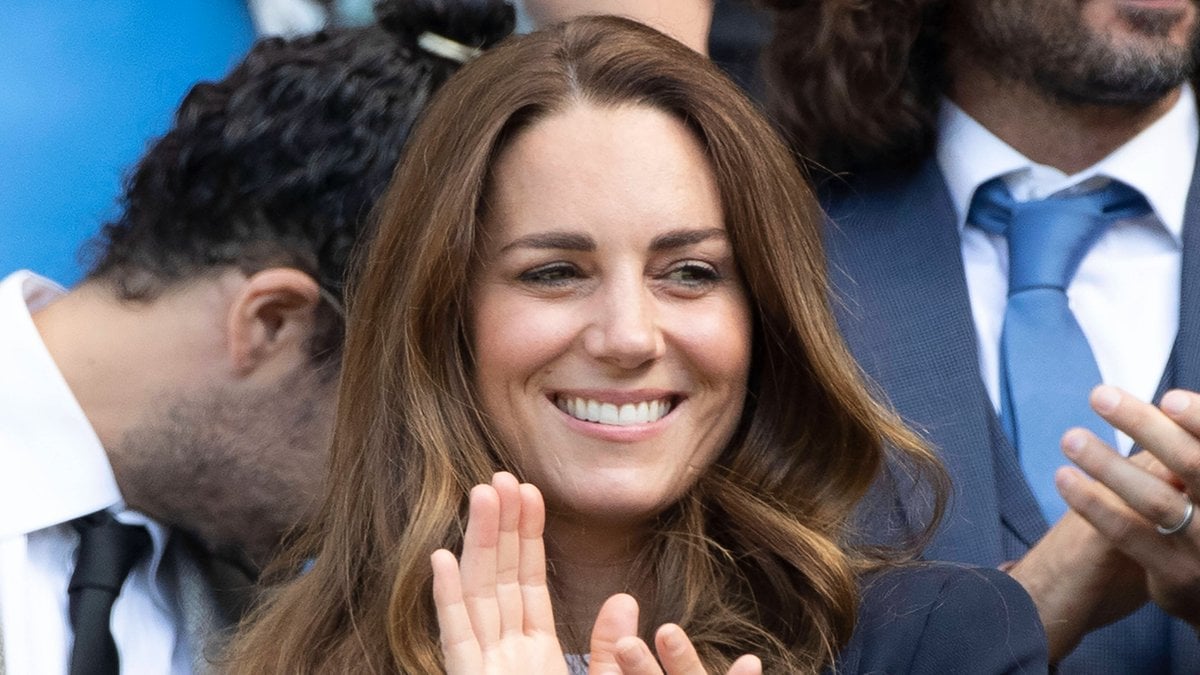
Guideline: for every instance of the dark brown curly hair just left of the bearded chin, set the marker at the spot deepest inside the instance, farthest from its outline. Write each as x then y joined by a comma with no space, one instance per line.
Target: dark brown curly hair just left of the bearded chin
855,83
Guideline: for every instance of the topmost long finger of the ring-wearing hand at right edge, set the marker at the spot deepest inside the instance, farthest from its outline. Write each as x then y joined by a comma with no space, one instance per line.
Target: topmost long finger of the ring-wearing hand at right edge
1154,431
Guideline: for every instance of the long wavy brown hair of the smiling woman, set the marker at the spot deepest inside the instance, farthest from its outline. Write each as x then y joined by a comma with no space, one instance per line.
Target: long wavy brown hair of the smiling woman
755,558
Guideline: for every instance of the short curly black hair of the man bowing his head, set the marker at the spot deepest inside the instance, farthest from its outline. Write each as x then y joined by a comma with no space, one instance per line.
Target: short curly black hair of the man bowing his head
281,162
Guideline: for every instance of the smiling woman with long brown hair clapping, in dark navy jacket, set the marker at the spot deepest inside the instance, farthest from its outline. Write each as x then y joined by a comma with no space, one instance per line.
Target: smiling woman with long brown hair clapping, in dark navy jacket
601,271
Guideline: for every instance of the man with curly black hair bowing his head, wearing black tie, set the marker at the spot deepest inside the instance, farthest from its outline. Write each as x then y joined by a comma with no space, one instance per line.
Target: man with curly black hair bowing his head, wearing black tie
166,423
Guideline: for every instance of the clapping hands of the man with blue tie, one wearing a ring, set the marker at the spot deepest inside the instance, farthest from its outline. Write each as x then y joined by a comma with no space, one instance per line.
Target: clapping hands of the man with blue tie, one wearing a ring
1129,536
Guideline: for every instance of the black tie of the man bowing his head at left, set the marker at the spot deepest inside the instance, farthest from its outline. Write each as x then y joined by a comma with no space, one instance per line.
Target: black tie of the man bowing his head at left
107,552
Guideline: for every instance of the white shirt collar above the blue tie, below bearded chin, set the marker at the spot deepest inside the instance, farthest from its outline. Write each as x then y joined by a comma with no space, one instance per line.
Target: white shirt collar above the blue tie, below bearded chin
1159,163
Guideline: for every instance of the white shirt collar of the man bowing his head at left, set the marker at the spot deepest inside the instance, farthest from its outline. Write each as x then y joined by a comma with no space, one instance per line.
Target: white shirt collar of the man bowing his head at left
53,468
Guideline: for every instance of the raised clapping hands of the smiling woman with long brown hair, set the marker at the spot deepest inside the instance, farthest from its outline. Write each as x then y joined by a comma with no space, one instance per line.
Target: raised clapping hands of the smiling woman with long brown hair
495,611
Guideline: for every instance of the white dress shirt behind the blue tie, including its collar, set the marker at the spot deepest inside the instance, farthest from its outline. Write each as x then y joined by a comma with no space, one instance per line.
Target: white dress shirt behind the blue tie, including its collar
1126,295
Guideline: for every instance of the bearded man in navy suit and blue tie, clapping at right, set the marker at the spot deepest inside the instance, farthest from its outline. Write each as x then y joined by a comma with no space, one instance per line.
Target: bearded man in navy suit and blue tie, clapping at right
927,118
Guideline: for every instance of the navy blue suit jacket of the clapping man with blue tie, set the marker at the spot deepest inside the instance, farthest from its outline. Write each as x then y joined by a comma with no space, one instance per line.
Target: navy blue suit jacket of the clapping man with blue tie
902,302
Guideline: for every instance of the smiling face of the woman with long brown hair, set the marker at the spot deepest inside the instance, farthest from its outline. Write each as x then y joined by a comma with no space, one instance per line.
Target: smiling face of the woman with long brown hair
610,326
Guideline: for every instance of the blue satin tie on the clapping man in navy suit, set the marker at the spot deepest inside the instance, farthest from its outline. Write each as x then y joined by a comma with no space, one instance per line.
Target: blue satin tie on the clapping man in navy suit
1047,368
